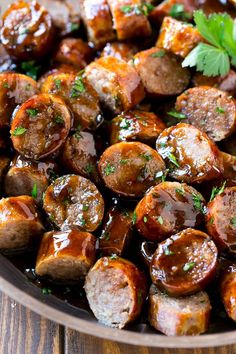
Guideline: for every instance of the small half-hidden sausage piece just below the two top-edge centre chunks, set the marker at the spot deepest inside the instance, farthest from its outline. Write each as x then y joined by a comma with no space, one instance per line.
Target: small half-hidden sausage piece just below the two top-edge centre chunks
119,50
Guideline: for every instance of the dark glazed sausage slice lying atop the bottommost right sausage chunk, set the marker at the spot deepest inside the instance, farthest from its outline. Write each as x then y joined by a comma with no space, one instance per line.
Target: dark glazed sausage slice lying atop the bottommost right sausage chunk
184,263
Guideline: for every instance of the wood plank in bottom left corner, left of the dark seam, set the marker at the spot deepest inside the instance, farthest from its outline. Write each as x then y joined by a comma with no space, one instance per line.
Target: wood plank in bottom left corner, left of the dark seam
24,332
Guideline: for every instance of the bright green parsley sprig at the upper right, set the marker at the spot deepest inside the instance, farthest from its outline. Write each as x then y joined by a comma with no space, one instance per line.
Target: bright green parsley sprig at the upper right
214,58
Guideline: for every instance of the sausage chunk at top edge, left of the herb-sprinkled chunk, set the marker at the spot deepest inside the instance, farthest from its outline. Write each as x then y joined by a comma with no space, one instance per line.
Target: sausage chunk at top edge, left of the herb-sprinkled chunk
98,21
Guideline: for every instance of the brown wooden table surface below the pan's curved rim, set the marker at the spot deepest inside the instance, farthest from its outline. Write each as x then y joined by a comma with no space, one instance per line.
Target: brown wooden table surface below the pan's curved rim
24,332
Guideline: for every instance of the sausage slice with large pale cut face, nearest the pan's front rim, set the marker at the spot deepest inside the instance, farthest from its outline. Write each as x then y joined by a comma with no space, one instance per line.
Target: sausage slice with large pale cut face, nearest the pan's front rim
115,289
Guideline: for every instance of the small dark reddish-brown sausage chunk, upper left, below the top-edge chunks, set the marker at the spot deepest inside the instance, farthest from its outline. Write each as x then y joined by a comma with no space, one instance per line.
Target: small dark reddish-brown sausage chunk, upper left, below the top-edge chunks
74,52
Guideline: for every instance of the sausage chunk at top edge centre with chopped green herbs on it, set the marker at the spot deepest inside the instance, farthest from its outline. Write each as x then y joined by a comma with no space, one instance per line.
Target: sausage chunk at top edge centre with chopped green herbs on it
129,19
